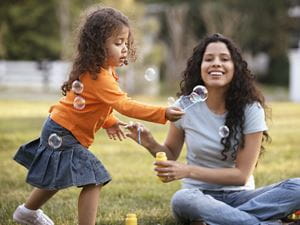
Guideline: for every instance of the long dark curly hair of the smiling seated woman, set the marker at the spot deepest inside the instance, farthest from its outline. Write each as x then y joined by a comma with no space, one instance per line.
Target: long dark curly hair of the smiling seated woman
241,91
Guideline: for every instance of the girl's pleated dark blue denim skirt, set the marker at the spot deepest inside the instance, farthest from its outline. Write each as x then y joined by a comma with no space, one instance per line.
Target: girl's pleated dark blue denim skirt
64,165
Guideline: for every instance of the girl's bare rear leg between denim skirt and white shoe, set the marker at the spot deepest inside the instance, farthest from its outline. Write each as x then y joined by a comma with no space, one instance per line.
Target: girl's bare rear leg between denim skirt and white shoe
38,197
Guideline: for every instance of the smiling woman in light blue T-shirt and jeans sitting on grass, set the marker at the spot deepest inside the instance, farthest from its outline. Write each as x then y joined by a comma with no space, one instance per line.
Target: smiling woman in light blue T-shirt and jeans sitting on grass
218,185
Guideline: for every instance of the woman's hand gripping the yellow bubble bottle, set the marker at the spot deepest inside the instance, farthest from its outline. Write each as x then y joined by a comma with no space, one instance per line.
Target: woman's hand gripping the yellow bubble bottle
171,170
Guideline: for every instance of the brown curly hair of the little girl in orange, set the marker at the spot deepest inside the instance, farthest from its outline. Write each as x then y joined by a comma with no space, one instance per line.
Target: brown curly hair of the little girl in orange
99,25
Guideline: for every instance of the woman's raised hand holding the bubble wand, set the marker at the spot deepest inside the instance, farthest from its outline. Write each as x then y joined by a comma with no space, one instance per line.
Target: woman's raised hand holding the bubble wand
139,133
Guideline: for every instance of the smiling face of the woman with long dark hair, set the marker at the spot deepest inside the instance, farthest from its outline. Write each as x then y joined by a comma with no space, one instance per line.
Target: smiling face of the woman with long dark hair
217,67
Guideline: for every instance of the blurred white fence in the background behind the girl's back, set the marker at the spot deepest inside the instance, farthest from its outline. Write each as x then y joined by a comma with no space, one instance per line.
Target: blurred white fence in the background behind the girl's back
35,75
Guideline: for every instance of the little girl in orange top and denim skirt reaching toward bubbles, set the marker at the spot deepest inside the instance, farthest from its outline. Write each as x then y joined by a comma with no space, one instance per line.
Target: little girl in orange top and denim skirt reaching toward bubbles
60,157
